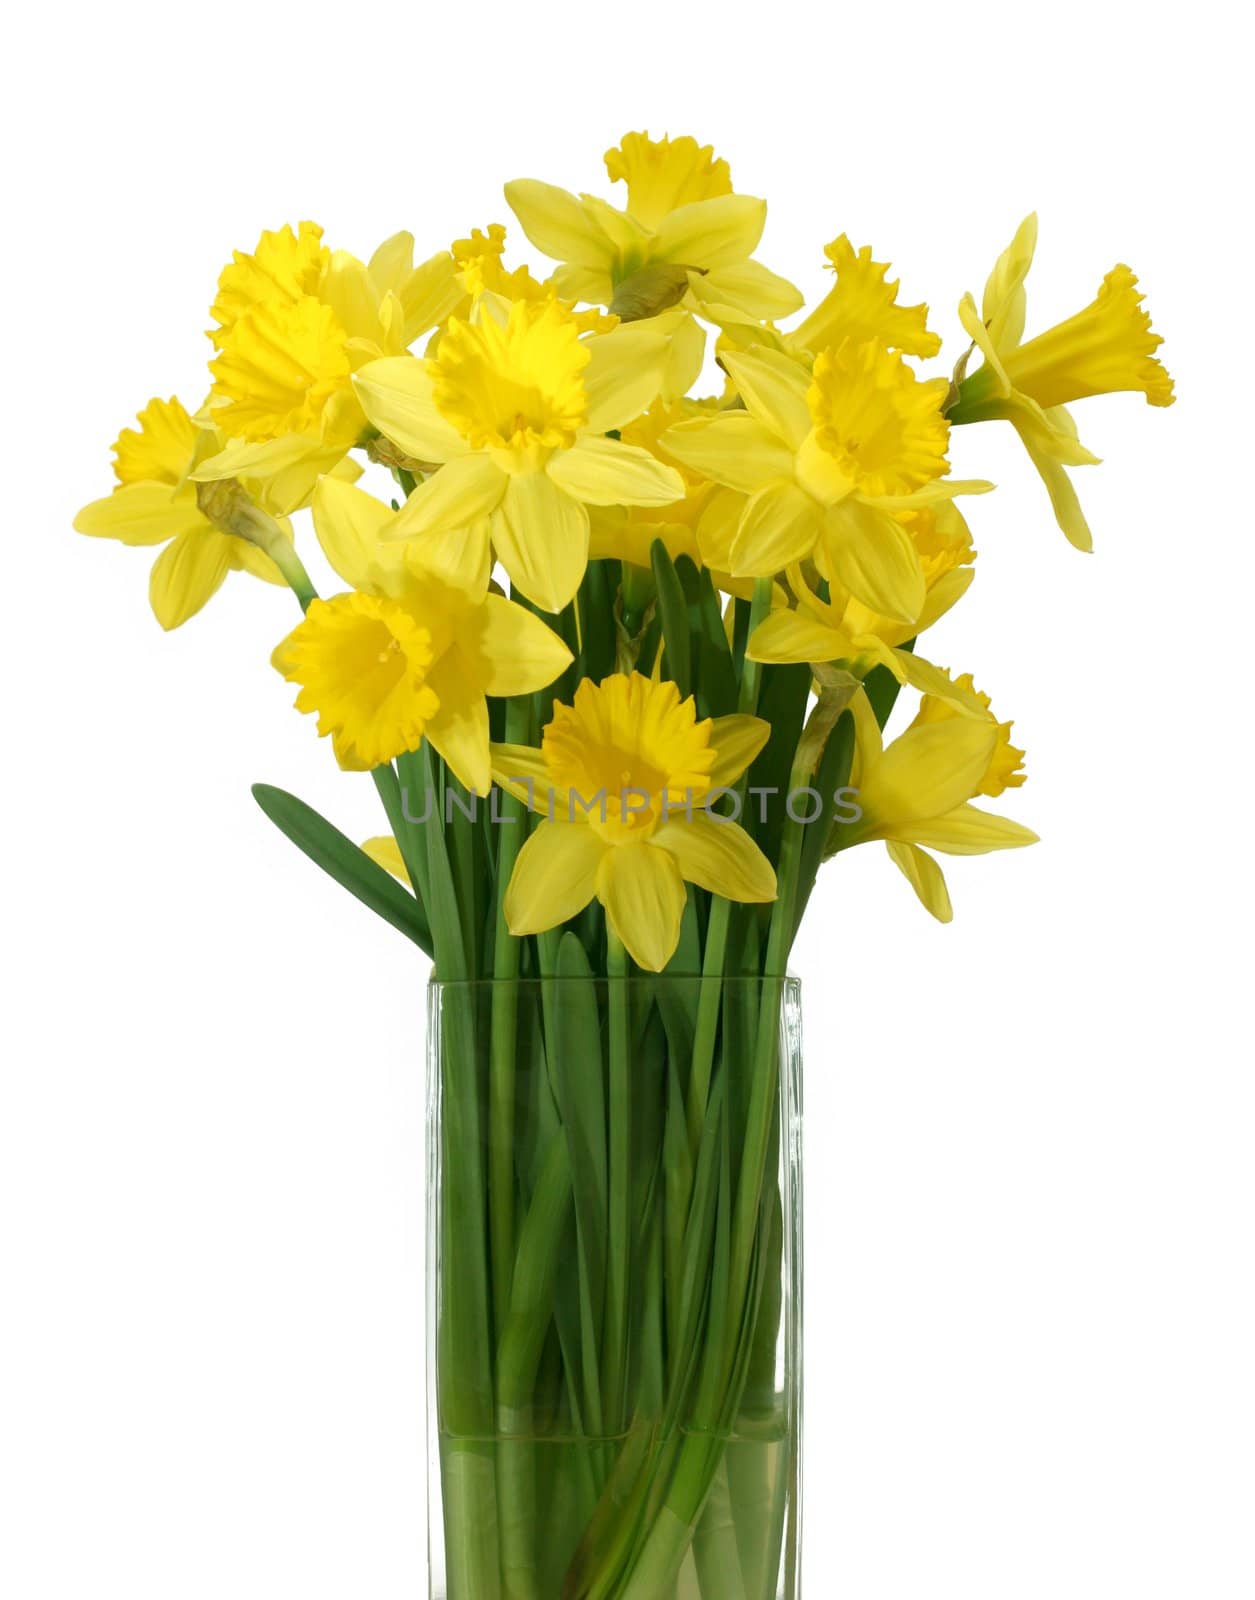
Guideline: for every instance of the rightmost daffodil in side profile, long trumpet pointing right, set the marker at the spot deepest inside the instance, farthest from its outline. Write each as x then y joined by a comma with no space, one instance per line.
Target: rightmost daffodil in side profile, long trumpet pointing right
1104,350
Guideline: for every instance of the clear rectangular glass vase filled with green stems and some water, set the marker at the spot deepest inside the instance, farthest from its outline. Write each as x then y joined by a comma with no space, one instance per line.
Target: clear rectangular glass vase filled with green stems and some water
615,1289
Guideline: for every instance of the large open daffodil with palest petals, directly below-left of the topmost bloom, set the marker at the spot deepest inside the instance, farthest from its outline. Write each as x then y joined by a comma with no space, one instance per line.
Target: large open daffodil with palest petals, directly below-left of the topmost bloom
515,407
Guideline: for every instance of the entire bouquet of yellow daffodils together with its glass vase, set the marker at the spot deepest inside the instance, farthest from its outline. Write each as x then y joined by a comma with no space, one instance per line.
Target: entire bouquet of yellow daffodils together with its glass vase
628,580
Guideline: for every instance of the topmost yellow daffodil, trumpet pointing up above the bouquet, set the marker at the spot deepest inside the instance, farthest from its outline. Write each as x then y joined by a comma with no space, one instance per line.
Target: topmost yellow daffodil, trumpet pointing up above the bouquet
686,241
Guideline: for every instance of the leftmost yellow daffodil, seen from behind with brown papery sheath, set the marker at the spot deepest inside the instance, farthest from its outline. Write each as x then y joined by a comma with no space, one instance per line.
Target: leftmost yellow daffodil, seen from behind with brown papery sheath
158,503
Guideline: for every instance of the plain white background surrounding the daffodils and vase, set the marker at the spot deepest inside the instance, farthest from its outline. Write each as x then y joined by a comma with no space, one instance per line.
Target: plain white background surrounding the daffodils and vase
1030,1135
